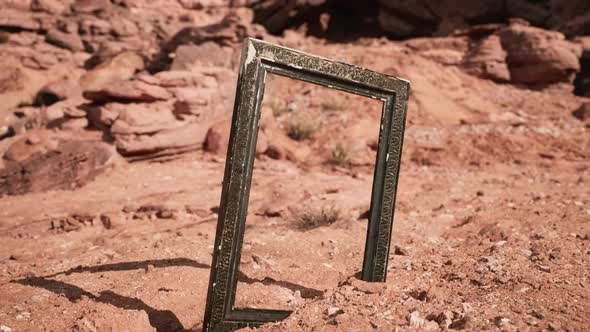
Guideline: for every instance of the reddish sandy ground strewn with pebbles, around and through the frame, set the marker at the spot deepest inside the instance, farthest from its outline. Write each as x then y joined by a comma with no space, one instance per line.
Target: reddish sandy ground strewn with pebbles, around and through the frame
491,228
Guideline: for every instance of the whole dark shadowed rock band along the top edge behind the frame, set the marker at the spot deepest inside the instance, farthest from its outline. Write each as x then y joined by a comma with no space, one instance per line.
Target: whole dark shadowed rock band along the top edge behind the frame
417,18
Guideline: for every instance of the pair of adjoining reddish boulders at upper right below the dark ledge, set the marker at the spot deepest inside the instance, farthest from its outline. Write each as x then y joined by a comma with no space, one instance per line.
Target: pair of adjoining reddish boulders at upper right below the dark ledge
515,52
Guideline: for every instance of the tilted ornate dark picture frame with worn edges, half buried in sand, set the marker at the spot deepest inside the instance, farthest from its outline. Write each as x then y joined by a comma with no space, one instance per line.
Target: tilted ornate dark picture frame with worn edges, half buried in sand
259,58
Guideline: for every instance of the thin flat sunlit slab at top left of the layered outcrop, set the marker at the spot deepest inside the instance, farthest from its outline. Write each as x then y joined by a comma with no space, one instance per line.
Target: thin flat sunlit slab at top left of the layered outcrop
128,91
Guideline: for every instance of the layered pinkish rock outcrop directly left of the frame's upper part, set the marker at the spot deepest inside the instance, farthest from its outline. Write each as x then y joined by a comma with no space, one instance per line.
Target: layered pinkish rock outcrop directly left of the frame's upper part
161,115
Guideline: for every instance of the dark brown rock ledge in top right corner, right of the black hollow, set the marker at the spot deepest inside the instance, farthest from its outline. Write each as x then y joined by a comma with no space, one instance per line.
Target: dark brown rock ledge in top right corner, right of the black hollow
405,19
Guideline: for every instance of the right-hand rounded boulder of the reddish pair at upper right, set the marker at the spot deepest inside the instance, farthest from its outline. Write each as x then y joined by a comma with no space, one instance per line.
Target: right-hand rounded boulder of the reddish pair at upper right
537,56
